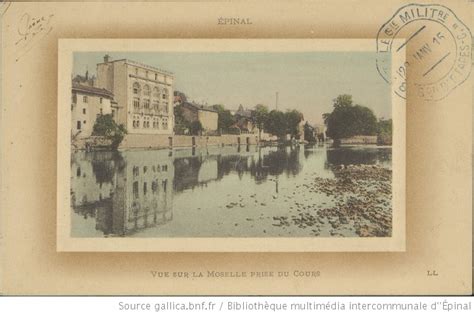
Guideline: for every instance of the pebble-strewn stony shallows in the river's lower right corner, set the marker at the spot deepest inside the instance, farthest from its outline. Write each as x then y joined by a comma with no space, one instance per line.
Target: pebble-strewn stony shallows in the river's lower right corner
360,202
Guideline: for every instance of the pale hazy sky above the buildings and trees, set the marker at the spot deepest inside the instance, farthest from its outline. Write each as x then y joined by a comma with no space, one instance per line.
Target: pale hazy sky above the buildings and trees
306,81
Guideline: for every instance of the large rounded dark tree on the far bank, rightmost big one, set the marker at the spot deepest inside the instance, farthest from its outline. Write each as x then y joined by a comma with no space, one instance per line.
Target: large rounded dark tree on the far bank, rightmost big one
347,120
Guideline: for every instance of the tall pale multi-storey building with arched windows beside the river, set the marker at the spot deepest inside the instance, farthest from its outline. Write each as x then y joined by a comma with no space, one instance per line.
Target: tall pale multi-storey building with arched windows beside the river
144,95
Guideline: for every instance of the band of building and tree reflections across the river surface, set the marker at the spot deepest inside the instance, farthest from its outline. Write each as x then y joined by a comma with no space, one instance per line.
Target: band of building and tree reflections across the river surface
119,194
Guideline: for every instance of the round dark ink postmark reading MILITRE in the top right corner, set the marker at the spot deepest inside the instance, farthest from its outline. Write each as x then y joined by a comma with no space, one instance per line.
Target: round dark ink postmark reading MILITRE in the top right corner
437,48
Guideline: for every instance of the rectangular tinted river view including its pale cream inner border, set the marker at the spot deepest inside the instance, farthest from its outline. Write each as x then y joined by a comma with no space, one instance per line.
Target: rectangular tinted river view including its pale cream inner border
229,145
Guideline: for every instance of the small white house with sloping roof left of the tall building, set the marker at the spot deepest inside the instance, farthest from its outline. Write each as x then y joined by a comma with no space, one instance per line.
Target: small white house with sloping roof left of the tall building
88,103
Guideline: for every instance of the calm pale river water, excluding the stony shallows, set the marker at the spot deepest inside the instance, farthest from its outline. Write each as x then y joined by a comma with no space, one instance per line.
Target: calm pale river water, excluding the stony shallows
245,191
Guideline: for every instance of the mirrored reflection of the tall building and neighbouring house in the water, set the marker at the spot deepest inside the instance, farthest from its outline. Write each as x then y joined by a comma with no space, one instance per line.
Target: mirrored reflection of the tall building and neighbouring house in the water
124,195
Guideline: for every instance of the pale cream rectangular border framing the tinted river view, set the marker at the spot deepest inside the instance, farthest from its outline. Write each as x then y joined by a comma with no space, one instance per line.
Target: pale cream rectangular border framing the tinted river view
65,242
